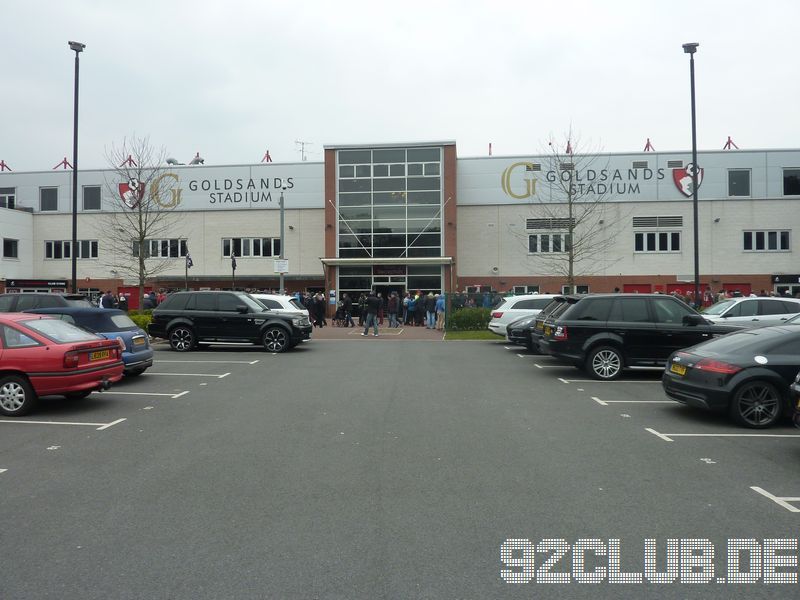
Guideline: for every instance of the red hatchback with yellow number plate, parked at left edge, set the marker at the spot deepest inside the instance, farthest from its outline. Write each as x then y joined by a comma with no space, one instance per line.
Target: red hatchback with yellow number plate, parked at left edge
43,356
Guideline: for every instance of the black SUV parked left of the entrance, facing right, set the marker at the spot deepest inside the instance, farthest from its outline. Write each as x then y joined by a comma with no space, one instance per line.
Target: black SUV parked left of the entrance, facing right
187,319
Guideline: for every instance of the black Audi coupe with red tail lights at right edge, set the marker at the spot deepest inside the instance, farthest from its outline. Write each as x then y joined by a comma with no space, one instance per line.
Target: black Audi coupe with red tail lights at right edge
747,373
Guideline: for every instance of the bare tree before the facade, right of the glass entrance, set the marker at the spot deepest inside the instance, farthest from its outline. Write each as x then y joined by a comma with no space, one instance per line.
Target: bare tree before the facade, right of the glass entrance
572,213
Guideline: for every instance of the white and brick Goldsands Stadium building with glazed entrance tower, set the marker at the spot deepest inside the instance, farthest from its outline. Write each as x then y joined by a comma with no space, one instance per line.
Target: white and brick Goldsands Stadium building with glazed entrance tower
415,216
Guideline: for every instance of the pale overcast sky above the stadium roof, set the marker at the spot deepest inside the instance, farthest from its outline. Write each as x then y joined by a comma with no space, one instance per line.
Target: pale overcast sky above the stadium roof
234,78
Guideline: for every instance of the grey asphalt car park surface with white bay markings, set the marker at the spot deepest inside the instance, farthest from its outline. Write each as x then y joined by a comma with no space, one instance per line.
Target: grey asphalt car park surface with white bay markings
365,469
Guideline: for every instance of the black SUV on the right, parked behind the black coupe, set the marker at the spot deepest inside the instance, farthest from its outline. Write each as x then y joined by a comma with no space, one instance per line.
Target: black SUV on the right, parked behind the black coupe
606,333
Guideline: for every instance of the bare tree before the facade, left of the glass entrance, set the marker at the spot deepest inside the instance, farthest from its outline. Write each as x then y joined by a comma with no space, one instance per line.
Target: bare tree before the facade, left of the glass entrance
141,198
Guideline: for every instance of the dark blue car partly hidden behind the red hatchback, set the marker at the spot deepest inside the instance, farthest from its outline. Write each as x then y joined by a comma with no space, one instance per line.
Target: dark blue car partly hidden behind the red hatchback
110,323
